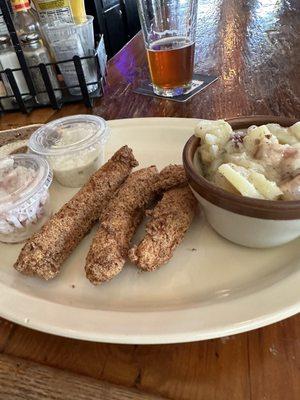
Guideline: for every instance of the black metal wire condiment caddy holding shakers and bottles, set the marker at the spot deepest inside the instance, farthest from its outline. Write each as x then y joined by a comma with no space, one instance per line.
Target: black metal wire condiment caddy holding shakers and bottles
25,102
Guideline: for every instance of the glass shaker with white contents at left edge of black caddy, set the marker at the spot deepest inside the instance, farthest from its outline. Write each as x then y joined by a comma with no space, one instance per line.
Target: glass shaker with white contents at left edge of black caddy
9,59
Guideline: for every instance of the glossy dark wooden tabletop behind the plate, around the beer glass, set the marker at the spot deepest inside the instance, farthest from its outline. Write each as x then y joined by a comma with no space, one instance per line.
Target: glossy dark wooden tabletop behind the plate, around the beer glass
252,45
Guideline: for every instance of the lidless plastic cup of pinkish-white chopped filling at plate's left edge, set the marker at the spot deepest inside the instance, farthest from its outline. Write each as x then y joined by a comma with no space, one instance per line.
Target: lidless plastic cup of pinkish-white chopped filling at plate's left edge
24,196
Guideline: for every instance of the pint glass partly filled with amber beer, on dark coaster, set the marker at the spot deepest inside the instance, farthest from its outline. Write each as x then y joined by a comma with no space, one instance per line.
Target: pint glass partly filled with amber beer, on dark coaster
169,29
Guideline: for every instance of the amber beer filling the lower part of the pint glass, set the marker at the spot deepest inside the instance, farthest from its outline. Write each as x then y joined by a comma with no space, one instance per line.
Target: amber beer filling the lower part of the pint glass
171,62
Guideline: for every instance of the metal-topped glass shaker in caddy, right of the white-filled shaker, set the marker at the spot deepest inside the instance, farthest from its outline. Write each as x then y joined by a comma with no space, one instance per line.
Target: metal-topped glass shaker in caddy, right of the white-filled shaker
36,53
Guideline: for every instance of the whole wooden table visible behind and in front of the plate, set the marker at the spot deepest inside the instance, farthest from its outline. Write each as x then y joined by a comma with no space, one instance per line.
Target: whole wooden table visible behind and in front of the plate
254,47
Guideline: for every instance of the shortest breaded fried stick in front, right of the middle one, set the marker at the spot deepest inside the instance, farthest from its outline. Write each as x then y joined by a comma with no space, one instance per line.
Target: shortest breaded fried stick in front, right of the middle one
170,219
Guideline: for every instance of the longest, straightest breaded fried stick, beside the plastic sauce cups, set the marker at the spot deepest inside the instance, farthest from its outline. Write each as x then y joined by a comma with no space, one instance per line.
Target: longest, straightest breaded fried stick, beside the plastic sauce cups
44,253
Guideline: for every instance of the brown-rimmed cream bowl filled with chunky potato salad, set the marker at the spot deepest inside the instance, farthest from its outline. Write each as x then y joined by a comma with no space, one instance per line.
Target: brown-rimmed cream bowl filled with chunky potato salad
245,173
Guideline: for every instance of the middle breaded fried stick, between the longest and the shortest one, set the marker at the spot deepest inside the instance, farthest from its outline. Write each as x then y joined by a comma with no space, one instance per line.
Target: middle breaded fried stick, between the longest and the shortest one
110,245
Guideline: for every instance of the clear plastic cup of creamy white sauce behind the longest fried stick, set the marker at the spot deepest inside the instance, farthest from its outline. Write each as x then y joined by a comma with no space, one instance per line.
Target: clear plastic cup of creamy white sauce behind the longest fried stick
73,146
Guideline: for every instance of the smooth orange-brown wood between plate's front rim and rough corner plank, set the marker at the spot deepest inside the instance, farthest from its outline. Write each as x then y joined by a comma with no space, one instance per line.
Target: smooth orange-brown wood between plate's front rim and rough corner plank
262,364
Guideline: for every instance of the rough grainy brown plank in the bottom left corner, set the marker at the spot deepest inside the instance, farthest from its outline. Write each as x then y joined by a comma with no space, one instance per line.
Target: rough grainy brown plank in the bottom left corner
23,380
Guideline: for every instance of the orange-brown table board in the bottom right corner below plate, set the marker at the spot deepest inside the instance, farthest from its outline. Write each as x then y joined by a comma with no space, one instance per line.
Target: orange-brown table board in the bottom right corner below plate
274,361
